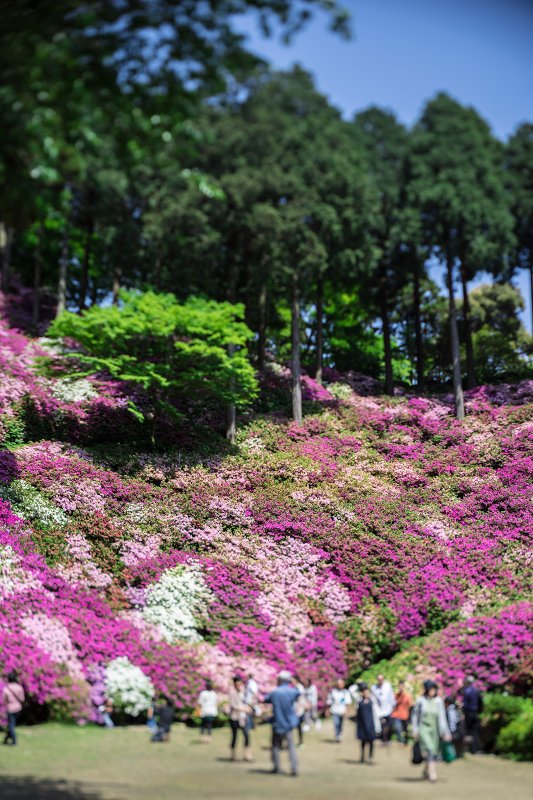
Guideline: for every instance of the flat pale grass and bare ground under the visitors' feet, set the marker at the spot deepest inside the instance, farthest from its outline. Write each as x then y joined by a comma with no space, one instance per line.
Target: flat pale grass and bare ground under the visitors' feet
60,762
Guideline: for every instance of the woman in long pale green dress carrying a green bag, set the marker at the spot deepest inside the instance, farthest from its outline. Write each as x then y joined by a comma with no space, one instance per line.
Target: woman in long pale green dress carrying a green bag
430,727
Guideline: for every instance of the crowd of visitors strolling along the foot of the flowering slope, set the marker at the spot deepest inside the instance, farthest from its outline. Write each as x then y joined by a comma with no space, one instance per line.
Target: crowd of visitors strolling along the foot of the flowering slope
439,726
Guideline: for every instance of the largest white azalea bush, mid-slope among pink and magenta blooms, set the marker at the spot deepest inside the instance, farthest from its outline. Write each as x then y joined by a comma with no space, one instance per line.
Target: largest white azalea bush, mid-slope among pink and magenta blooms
176,602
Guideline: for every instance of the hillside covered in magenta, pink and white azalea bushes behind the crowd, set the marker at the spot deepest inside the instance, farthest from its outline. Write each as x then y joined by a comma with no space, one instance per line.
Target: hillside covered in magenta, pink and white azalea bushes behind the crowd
323,548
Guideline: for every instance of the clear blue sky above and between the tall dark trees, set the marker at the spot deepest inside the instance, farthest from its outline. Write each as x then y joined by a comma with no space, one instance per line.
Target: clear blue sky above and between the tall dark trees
404,51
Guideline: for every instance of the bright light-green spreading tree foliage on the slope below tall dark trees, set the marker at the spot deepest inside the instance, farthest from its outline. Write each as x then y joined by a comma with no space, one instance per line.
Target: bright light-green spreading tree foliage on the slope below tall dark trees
194,350
